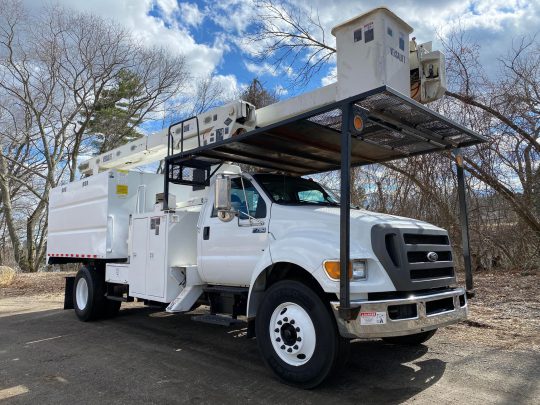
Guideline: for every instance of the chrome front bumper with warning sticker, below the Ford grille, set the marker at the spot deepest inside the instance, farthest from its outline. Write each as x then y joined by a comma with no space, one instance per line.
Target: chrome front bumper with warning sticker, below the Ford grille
405,316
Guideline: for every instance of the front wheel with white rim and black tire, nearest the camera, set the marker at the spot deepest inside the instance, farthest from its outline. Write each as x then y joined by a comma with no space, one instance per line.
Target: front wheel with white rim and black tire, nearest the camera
297,334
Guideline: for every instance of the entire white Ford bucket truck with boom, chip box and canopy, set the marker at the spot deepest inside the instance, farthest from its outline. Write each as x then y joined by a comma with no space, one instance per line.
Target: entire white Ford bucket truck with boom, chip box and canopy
307,272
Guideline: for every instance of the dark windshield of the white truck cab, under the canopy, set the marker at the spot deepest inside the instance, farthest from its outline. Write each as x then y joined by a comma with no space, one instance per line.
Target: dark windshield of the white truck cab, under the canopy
295,190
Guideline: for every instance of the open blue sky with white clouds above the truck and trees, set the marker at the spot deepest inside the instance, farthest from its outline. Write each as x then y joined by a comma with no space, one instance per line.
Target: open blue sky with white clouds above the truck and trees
210,34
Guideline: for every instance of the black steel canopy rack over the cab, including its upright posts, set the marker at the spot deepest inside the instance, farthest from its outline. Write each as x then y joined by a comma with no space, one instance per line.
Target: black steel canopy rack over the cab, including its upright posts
374,127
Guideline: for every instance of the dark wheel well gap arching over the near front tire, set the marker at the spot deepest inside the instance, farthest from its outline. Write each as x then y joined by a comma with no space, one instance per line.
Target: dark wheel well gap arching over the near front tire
283,271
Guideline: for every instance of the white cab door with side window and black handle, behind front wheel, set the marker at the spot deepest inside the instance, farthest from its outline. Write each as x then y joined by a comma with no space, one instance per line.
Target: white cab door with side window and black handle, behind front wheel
231,250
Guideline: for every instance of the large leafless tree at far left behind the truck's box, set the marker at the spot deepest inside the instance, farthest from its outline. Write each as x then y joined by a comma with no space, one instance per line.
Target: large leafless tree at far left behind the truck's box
53,69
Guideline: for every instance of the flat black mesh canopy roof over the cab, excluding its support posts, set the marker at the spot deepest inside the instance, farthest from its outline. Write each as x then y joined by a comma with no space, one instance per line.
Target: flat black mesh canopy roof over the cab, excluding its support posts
394,127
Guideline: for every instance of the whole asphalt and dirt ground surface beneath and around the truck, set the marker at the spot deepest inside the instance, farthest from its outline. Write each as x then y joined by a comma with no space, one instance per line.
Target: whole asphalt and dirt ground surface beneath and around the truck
147,356
